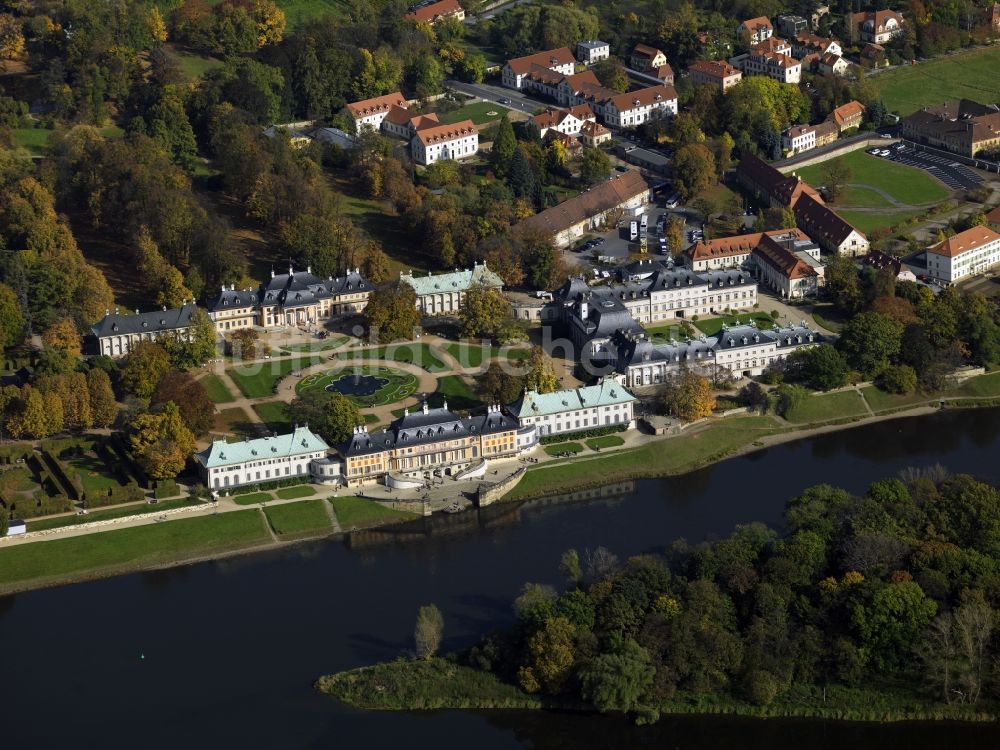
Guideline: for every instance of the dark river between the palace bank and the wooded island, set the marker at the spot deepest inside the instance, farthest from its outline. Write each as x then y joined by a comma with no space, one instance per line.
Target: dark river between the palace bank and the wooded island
223,653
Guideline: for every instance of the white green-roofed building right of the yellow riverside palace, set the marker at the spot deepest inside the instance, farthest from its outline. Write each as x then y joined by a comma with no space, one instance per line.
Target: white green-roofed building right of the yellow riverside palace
606,404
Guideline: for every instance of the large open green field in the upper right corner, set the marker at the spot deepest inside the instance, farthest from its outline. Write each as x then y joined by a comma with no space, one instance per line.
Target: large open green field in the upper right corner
970,75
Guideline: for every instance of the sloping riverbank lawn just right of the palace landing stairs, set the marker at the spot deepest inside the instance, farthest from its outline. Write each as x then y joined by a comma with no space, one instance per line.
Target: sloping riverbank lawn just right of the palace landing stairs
653,459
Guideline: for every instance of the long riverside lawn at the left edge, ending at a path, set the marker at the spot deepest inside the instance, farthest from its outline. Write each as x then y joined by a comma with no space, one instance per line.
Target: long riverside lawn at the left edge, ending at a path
131,548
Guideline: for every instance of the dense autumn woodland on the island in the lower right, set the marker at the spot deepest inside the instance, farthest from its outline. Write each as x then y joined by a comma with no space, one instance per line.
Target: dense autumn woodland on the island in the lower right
877,605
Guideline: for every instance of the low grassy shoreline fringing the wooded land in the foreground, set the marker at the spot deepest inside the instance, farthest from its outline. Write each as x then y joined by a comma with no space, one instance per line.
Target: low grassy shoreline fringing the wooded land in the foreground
442,683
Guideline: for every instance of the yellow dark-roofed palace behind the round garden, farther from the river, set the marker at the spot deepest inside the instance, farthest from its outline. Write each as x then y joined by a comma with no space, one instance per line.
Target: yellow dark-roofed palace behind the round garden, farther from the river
293,299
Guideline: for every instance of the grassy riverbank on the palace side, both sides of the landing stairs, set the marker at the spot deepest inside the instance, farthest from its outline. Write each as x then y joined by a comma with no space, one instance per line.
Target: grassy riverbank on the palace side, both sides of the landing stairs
77,559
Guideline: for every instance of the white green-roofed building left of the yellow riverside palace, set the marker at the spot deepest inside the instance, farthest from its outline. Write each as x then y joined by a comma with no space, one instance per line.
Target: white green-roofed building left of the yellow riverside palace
223,464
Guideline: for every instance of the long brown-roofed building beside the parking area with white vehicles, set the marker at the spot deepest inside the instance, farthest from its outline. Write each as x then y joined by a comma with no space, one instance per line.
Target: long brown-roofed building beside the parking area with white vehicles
571,219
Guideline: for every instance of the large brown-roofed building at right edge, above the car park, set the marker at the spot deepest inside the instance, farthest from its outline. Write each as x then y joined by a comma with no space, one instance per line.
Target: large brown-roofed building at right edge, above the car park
963,127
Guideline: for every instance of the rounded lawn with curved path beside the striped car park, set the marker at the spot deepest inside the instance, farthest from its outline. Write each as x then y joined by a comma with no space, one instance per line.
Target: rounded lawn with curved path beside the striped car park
908,185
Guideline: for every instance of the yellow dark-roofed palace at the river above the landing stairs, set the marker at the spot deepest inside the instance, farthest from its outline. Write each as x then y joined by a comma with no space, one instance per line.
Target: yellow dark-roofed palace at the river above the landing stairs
427,443
